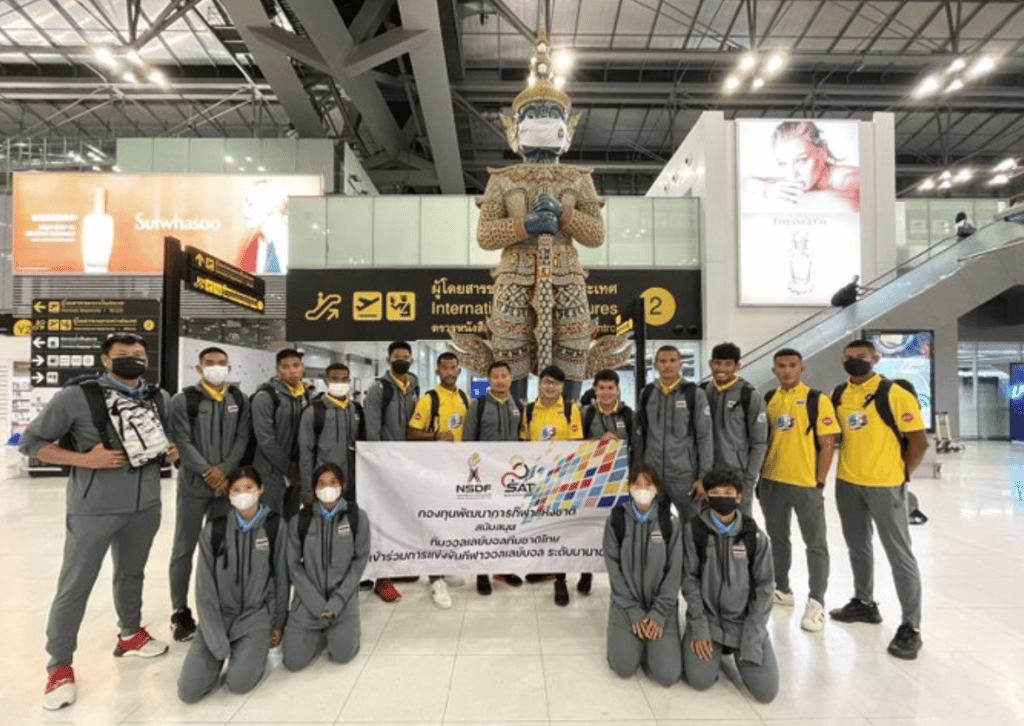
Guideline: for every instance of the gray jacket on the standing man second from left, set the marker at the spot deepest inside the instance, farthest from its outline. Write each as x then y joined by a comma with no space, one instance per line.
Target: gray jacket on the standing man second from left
219,439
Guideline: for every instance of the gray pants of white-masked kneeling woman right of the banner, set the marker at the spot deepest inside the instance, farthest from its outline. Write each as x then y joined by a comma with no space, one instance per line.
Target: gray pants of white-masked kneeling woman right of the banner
661,659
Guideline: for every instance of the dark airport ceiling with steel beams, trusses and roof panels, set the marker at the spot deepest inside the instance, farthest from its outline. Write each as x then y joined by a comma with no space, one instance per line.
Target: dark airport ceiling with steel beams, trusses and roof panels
416,87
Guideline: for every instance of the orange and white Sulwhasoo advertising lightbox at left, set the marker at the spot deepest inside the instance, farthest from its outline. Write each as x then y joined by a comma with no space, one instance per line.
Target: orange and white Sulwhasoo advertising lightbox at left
116,224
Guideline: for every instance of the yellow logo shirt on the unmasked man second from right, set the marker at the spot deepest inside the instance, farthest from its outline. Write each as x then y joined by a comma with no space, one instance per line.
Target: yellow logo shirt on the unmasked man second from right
792,458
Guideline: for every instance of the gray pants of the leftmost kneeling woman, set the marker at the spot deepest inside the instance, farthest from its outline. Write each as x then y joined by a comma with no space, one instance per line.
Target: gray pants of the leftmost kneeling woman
201,671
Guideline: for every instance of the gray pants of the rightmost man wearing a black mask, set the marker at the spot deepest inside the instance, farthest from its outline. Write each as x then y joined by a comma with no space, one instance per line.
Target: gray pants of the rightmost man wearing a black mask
862,510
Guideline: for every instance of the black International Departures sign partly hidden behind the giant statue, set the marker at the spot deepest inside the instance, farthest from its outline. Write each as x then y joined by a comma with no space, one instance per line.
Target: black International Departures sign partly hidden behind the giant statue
425,304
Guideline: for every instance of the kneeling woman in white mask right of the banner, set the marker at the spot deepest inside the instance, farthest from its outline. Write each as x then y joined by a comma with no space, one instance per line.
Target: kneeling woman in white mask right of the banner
645,559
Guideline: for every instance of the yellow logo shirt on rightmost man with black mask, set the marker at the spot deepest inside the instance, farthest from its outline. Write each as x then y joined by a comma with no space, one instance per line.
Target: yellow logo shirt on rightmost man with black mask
870,454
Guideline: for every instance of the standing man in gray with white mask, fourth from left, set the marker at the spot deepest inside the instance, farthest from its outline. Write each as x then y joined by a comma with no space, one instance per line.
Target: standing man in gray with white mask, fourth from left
343,426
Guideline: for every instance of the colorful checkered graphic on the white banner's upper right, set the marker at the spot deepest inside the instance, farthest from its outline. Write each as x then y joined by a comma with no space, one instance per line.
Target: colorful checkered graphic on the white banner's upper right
596,476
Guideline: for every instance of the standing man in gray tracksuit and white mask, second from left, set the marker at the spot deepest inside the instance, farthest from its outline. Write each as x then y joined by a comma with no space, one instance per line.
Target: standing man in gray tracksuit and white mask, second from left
211,428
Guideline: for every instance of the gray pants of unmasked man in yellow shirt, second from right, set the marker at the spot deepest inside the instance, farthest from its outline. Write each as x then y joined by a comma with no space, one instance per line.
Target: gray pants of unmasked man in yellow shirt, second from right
779,501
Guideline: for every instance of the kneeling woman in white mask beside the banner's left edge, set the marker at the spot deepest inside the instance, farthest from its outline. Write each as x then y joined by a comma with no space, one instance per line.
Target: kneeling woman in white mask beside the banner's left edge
328,549
